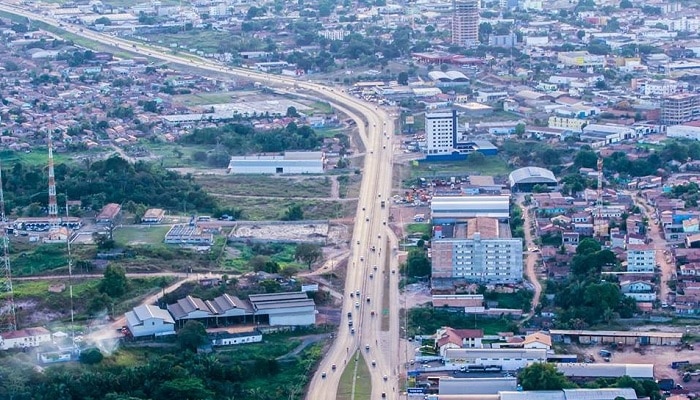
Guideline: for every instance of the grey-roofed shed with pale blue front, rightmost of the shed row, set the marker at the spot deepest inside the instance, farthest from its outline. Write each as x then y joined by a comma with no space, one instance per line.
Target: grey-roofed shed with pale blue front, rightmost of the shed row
287,309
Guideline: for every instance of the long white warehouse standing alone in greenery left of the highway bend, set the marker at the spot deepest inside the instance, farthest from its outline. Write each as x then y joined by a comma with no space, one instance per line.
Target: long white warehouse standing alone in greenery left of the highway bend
292,162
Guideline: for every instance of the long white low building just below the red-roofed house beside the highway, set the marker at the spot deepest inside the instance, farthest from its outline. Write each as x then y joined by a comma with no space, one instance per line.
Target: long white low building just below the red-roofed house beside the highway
507,359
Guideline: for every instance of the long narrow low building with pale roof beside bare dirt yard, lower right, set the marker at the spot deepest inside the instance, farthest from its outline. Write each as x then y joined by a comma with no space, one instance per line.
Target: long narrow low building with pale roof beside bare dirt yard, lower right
625,337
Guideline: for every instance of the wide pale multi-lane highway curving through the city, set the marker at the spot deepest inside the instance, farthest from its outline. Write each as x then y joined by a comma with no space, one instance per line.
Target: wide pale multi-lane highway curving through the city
370,231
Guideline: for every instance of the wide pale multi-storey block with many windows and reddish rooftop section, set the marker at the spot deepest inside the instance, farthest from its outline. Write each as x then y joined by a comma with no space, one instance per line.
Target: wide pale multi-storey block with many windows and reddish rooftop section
485,253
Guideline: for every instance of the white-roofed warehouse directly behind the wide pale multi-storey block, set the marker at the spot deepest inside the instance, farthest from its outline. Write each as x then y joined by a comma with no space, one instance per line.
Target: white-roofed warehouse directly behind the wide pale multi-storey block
446,210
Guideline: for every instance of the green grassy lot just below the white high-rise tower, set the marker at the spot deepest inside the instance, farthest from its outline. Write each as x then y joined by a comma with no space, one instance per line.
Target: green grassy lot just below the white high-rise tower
492,165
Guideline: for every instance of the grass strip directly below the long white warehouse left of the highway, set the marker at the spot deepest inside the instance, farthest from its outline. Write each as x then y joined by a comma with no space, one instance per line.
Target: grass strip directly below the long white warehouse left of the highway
263,185
